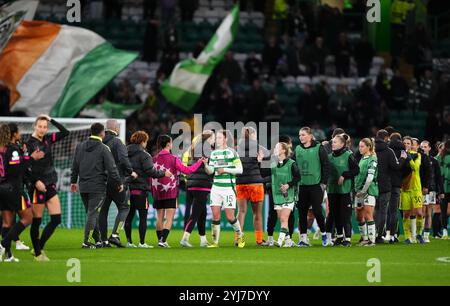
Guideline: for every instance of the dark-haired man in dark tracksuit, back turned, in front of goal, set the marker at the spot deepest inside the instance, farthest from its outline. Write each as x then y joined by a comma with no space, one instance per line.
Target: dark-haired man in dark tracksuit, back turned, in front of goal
93,166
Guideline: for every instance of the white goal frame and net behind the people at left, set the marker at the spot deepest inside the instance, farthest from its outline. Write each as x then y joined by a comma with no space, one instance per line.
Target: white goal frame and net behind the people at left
73,214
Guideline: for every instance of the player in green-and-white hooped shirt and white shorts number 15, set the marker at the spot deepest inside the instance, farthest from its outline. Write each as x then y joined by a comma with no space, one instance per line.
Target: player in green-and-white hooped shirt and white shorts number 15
225,164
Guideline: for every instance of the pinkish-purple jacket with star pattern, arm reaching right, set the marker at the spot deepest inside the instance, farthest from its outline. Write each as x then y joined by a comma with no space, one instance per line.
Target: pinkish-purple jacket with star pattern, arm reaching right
167,187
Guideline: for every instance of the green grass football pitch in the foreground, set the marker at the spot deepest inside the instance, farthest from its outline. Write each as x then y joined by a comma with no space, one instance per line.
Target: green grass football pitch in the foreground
228,266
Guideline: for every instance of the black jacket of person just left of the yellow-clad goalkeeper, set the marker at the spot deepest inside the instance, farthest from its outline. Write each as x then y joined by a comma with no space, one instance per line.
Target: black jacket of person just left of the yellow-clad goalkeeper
388,165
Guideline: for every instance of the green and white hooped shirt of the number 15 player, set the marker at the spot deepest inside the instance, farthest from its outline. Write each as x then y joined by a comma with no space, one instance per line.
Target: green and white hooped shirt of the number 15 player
228,159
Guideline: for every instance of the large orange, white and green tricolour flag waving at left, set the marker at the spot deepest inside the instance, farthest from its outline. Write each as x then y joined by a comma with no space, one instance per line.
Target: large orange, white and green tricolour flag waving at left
57,69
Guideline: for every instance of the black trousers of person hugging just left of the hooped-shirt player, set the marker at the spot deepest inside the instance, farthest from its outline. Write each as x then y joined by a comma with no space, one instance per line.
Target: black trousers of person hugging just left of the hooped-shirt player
197,211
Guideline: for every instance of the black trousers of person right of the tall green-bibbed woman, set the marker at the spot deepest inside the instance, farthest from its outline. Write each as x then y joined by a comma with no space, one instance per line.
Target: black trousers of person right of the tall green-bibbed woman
340,213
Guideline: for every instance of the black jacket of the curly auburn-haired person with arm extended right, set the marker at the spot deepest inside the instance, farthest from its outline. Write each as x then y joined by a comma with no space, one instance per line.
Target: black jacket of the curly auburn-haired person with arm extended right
142,163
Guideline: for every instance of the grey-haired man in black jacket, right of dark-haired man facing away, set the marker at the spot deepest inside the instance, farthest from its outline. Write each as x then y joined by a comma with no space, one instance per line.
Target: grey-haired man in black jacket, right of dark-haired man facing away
120,154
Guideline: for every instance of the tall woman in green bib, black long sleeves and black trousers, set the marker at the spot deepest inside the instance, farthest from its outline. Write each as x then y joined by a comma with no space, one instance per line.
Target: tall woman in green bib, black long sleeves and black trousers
314,167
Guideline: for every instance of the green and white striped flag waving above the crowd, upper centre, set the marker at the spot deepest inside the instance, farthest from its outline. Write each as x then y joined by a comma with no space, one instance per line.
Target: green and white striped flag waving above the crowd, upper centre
185,85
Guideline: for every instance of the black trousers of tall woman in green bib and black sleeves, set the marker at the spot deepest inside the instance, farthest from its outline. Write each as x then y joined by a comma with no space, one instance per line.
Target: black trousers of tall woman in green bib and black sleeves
310,196
